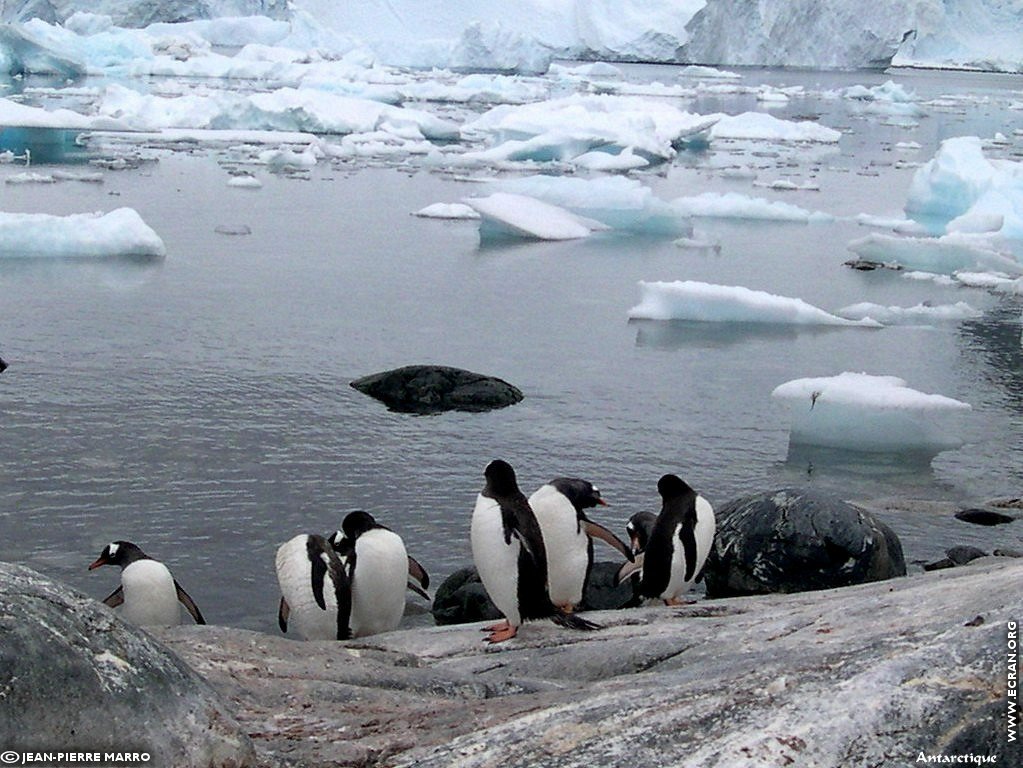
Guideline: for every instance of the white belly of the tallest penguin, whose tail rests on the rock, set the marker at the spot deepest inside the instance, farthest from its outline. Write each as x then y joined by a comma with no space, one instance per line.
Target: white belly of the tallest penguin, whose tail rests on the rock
497,562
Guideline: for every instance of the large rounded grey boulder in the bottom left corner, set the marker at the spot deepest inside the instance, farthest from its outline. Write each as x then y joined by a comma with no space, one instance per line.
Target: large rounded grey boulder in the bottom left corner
75,677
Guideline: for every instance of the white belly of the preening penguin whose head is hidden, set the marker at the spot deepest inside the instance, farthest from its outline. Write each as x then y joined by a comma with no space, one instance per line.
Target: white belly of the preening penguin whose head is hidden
295,578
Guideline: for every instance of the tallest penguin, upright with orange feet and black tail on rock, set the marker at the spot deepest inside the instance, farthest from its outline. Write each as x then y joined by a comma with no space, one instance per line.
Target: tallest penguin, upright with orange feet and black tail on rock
511,558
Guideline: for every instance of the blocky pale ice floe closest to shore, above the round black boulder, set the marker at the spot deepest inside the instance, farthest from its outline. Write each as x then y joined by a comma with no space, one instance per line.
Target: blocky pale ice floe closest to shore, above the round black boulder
864,413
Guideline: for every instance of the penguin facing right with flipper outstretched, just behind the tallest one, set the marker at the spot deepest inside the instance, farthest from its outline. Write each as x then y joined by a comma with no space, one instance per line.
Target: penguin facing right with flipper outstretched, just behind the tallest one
560,508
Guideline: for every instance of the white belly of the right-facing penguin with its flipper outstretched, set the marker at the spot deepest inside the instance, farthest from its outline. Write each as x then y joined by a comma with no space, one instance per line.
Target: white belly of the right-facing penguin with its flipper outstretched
566,543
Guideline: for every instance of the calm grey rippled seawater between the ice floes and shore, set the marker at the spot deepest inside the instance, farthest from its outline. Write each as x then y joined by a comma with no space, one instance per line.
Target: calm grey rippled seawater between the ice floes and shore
200,406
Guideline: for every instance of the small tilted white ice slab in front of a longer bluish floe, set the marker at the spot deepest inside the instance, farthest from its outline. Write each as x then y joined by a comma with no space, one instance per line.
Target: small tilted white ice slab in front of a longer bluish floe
507,215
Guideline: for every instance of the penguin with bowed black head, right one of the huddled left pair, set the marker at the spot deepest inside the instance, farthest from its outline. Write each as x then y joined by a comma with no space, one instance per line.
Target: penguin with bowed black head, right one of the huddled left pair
378,567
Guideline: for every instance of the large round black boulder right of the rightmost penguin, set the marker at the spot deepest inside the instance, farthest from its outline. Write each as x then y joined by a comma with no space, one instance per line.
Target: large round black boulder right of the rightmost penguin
795,540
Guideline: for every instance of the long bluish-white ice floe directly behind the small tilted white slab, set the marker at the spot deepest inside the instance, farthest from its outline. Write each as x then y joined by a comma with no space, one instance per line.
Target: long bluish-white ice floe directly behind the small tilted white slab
617,202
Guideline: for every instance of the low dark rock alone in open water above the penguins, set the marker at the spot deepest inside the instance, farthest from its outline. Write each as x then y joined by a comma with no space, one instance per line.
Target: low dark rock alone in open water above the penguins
433,389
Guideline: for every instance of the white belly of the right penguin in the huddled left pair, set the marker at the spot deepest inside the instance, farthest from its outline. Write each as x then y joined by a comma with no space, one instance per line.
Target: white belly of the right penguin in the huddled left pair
379,582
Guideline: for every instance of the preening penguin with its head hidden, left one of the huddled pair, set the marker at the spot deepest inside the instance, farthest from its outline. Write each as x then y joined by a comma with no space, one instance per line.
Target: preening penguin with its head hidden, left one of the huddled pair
317,596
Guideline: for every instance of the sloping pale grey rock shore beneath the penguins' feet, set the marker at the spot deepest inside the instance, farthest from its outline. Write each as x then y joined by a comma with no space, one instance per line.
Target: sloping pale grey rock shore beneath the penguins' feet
869,675
